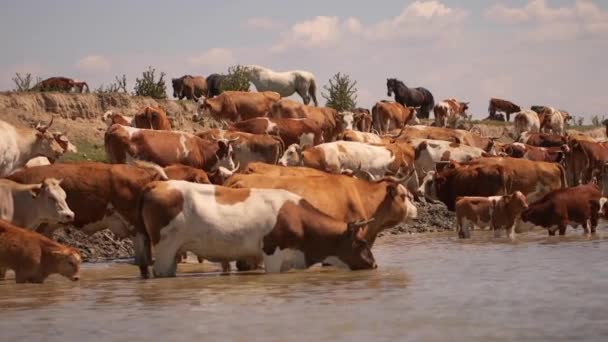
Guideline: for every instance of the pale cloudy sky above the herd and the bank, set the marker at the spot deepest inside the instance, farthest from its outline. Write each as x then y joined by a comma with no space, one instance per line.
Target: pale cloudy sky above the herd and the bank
529,51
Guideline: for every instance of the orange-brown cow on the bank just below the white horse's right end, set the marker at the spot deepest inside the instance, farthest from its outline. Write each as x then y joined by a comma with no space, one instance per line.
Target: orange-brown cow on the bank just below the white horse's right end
326,118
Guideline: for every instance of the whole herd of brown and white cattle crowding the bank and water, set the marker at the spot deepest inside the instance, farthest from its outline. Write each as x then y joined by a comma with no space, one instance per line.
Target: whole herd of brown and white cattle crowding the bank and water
289,185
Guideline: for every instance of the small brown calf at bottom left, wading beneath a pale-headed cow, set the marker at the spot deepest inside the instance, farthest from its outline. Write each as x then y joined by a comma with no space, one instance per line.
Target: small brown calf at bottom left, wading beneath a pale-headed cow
34,257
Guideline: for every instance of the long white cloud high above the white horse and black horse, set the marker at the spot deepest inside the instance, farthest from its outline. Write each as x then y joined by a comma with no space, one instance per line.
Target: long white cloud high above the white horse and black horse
418,20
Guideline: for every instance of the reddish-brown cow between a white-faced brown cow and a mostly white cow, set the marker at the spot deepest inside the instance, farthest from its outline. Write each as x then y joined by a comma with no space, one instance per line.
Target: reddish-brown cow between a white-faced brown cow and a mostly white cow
248,147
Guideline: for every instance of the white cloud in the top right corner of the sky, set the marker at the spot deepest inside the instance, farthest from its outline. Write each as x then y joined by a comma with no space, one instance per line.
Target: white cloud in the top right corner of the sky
582,19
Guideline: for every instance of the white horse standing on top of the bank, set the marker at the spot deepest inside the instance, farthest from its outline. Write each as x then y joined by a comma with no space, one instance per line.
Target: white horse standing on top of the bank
285,83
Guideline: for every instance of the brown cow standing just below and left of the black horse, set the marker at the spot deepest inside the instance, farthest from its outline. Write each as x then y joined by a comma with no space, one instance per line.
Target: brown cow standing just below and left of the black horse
389,115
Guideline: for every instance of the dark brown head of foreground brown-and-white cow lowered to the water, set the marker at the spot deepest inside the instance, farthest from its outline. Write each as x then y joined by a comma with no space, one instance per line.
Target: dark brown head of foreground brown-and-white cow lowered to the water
353,250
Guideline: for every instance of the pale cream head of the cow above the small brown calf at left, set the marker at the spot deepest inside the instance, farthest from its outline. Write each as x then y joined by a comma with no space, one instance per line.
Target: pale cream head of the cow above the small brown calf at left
51,202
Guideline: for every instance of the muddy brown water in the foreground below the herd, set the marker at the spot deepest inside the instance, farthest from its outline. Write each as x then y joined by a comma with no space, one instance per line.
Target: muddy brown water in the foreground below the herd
428,287
